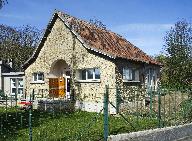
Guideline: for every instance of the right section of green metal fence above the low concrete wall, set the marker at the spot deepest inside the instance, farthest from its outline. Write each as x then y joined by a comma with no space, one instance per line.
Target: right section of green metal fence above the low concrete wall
150,108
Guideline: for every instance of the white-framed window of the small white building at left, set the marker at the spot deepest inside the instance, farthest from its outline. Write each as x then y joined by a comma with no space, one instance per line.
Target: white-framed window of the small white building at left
16,86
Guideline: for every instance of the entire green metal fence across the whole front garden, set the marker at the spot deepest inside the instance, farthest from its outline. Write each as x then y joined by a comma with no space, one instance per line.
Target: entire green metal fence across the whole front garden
136,109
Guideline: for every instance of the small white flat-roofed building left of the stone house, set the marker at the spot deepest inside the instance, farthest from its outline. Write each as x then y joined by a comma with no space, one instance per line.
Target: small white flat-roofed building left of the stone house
11,82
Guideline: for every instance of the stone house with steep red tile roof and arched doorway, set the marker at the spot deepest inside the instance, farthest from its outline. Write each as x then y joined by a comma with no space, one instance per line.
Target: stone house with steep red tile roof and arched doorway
76,55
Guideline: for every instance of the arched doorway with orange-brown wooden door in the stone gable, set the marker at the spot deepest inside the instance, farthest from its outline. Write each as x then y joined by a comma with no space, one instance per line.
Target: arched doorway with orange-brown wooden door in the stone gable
59,79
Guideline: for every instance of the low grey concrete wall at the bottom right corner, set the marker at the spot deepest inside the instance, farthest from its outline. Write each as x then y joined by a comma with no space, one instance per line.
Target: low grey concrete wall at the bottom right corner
163,134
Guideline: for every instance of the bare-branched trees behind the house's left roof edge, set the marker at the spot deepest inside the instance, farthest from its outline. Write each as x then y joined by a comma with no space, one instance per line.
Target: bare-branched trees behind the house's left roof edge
18,44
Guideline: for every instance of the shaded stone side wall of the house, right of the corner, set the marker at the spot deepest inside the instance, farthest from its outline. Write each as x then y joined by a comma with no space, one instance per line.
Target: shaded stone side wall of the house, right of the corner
132,93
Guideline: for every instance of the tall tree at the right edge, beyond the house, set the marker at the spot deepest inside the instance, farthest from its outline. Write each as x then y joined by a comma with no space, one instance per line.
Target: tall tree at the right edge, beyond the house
178,46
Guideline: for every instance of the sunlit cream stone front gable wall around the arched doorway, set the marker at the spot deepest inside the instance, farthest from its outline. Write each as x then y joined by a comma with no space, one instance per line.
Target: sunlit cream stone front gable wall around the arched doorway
61,44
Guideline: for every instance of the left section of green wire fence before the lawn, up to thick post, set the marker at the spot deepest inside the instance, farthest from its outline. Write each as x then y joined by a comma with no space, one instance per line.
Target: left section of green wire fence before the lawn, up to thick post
51,119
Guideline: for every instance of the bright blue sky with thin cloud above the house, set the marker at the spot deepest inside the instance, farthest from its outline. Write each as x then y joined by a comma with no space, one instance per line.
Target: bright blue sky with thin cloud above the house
142,22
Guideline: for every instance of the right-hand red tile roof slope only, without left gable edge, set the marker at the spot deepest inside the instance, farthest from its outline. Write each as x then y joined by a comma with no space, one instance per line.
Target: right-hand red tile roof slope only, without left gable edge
105,41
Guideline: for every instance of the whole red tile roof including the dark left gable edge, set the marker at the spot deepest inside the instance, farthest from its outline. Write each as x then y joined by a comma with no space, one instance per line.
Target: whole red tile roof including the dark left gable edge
97,39
